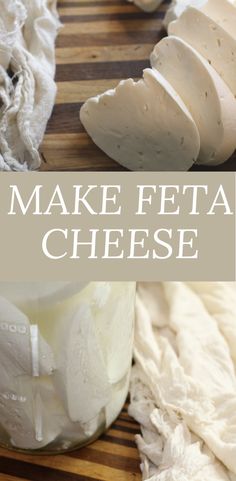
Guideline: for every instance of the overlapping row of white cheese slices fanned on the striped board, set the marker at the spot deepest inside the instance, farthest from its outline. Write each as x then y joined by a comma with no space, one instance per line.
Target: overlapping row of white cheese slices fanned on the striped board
183,110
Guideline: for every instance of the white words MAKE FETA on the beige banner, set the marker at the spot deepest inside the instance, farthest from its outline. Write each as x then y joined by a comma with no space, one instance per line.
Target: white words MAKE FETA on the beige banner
99,200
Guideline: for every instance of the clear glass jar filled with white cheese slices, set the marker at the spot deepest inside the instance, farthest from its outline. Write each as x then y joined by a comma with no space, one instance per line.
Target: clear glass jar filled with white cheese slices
65,357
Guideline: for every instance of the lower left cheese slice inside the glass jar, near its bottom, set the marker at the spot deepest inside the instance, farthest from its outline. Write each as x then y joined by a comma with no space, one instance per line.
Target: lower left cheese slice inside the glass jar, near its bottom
27,420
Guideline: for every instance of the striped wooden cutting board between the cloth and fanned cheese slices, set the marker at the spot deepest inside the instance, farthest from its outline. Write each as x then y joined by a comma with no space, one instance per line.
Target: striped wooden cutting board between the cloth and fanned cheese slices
101,42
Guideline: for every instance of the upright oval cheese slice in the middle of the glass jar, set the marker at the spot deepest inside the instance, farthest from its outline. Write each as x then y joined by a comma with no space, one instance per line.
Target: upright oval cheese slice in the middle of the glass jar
80,378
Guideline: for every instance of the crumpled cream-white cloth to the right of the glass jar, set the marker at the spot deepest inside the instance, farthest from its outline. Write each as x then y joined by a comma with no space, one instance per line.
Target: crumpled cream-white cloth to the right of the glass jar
183,386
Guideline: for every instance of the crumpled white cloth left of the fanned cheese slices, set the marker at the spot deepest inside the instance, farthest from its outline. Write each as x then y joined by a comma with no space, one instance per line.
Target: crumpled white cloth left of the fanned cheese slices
28,29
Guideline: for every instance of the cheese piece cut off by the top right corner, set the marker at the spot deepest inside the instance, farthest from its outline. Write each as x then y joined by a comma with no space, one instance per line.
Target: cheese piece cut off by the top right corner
223,12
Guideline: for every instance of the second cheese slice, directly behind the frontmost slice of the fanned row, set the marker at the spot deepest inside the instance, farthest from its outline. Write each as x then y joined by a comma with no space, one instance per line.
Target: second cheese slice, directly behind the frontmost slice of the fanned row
209,100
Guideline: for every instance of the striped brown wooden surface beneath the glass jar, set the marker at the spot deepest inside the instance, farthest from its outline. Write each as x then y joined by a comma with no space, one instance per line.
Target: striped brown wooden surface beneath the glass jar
114,457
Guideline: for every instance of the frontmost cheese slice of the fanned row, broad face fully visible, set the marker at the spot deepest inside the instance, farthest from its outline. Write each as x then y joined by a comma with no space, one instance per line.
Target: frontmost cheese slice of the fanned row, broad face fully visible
143,125
